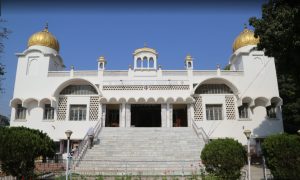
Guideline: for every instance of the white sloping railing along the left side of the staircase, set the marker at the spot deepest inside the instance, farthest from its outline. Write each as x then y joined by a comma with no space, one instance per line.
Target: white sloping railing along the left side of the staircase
83,146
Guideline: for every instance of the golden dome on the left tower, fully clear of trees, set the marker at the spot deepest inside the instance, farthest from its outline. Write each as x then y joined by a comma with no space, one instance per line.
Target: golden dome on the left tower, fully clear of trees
44,38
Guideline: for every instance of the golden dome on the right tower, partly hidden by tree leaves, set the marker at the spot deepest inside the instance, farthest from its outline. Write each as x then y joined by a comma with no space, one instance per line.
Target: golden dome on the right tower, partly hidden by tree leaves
246,37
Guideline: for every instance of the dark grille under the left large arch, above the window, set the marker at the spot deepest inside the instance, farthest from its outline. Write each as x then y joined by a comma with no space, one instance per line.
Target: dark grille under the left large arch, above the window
79,90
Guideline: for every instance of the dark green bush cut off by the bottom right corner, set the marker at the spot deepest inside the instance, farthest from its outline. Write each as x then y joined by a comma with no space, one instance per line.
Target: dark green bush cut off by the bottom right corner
282,155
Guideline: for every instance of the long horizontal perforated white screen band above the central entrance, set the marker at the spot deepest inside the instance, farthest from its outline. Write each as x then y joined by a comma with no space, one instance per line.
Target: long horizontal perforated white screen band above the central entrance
145,87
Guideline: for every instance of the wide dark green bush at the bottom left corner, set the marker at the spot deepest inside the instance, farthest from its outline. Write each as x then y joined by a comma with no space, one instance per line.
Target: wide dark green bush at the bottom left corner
20,146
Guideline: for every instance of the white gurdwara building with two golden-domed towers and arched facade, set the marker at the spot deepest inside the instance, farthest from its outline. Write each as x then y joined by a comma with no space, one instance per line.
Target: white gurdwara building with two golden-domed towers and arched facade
222,103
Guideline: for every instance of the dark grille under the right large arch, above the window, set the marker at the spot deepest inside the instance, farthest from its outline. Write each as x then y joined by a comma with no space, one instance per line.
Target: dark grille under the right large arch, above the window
213,89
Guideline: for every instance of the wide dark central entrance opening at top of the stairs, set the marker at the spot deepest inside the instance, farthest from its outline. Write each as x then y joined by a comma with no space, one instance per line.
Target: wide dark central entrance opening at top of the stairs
146,115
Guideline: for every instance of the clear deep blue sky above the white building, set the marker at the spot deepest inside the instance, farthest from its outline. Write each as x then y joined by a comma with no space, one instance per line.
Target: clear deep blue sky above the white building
88,29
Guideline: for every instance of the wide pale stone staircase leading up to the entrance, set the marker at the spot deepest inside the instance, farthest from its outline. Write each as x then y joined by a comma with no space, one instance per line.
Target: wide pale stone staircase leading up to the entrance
144,151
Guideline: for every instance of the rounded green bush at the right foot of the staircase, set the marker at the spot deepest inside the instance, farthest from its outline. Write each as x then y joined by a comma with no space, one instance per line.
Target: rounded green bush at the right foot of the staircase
224,158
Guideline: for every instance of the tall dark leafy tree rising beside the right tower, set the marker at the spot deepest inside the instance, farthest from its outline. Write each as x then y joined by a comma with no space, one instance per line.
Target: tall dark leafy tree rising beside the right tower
279,33
